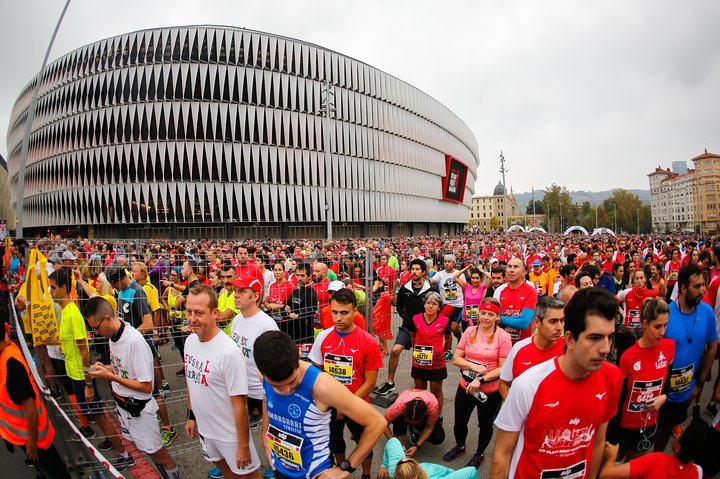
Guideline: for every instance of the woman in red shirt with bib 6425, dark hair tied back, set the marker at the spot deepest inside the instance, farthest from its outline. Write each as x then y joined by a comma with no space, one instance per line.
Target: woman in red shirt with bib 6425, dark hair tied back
644,368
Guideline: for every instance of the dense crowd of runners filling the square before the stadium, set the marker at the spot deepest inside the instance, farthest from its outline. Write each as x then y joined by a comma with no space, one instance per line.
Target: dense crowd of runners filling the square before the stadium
583,356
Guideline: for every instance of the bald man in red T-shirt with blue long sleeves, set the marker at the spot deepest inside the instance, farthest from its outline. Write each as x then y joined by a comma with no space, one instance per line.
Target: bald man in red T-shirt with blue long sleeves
517,302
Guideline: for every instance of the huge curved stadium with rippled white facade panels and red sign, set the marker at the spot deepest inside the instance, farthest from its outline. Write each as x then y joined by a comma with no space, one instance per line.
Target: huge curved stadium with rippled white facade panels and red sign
220,132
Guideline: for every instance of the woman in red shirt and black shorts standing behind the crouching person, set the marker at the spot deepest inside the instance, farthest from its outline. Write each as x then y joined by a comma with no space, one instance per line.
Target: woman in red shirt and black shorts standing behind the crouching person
431,337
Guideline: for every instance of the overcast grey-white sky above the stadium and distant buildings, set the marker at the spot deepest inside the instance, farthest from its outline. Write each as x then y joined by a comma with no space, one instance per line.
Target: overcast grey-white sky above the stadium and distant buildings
590,95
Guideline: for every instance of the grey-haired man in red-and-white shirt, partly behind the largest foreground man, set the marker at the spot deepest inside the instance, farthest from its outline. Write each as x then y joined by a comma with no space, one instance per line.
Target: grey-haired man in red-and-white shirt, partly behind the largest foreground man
547,343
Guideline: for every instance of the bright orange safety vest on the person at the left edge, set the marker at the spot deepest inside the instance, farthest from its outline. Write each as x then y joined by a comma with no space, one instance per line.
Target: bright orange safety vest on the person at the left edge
13,423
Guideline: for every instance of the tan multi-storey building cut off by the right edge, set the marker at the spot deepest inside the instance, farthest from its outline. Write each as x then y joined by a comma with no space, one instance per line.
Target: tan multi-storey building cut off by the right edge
707,191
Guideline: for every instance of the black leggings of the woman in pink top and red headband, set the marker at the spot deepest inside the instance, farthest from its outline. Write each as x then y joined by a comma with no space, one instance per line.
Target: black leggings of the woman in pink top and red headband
464,405
